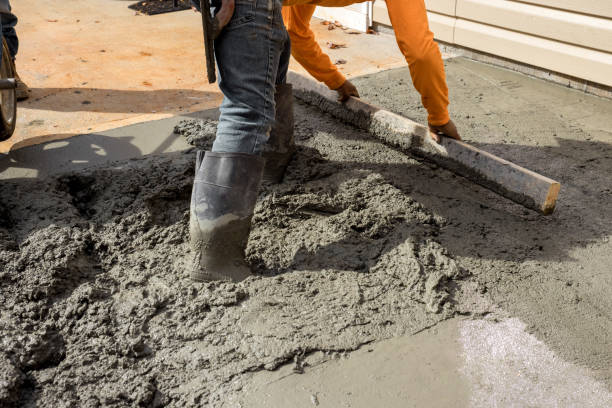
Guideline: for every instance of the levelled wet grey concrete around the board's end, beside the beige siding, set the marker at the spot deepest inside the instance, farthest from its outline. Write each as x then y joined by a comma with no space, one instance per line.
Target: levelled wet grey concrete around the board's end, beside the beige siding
553,273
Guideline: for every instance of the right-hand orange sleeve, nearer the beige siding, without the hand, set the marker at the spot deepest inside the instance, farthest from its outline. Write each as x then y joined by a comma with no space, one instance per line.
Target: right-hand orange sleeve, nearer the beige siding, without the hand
415,40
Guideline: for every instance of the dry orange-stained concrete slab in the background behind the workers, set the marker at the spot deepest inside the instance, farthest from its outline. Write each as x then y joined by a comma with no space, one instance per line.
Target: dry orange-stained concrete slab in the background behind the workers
94,65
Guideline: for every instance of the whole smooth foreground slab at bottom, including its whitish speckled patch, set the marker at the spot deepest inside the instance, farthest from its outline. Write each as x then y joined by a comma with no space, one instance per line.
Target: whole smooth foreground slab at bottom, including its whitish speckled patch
458,363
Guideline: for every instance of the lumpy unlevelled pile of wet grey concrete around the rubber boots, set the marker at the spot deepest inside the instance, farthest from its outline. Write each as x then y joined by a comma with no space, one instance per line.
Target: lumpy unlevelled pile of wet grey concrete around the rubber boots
98,309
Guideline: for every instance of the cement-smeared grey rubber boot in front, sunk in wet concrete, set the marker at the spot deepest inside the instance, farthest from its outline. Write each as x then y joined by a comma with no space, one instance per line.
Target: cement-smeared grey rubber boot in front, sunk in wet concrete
222,202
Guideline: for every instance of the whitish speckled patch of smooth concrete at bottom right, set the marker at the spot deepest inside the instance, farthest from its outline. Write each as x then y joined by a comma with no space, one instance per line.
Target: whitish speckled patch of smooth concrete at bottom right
508,367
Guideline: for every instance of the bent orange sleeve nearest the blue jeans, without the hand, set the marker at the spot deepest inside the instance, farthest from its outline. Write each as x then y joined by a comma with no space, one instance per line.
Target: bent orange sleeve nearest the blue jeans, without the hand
305,49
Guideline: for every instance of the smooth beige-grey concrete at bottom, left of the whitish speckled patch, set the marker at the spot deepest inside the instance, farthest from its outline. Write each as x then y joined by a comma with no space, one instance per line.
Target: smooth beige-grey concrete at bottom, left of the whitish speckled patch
409,371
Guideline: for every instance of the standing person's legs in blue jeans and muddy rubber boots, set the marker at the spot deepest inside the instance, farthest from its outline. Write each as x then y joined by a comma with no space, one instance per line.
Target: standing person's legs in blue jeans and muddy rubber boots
254,137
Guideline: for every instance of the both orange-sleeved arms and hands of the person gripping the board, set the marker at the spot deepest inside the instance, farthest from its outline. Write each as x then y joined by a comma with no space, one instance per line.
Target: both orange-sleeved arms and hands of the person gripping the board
415,40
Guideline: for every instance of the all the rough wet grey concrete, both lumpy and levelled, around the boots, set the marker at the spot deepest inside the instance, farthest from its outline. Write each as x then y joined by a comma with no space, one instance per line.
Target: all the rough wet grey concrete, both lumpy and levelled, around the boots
359,244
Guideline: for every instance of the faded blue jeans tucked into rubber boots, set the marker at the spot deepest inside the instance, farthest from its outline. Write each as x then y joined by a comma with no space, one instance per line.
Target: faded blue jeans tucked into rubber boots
252,53
